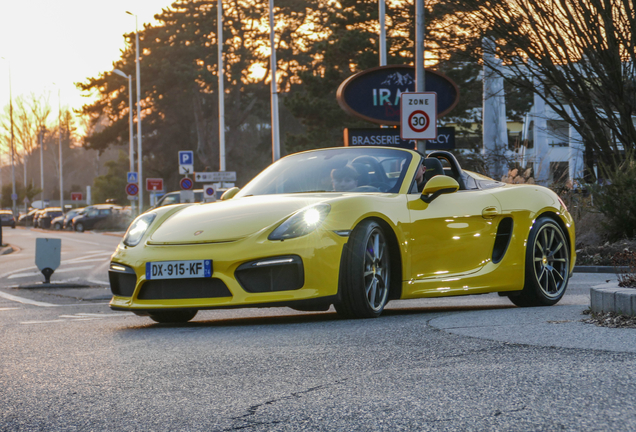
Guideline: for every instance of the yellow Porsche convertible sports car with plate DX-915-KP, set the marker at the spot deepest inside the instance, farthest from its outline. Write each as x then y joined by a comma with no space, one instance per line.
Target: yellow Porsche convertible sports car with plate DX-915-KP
354,227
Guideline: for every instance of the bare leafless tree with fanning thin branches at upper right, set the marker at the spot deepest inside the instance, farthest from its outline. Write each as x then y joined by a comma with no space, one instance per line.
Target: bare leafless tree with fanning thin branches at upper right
581,53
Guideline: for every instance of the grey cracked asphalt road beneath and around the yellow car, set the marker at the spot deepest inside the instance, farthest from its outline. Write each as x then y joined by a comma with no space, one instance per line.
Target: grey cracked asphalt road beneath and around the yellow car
473,363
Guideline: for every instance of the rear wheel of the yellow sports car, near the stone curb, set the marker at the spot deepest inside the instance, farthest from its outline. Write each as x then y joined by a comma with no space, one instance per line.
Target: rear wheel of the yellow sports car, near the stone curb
547,266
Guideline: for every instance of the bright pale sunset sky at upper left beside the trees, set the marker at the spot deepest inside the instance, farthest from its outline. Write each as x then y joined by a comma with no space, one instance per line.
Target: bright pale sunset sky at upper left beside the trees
63,42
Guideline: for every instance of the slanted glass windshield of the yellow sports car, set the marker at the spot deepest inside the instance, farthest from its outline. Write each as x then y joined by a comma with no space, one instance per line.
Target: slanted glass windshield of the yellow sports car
358,170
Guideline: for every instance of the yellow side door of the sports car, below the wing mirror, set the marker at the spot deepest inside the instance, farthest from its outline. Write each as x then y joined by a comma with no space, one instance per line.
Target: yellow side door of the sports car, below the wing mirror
453,235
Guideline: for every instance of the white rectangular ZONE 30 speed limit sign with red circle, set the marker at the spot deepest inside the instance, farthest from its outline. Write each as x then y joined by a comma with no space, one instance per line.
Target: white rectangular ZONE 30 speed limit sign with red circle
418,116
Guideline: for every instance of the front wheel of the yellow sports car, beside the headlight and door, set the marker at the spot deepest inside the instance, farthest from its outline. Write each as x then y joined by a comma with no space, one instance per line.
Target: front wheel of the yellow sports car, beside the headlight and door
366,273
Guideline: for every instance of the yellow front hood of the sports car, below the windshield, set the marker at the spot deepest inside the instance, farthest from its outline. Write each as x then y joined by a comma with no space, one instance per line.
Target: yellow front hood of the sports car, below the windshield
230,220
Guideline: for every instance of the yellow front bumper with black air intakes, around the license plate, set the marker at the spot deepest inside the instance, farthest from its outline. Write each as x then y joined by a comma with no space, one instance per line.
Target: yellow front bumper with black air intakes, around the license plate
246,273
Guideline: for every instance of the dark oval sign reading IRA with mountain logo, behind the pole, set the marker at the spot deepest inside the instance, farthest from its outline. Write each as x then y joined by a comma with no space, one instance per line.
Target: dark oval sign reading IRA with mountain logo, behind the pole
374,94
